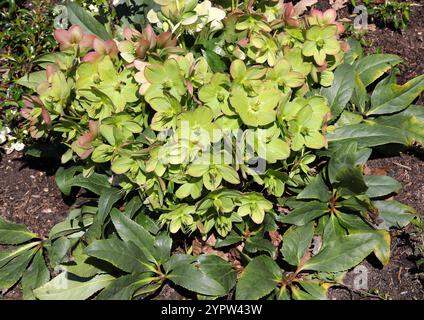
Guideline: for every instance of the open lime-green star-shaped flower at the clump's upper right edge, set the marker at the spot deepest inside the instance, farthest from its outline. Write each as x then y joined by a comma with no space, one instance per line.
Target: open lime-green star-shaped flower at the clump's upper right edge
320,42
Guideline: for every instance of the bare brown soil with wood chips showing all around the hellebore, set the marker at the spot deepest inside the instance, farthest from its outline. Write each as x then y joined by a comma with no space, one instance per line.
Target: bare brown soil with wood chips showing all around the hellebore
29,195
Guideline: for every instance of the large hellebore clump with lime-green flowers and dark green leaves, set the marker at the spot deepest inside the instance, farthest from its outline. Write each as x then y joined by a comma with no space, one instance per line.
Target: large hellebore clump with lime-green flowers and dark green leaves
254,135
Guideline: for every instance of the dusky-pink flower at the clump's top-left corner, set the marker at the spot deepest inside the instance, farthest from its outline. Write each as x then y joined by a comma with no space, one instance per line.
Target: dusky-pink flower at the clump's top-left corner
72,37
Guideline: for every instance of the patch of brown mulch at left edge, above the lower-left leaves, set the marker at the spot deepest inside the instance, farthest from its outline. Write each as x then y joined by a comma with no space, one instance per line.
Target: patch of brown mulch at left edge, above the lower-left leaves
29,195
